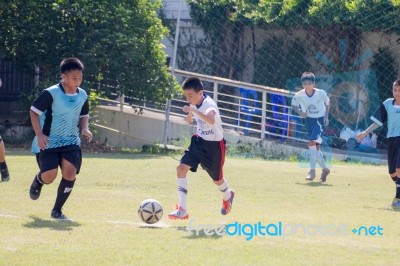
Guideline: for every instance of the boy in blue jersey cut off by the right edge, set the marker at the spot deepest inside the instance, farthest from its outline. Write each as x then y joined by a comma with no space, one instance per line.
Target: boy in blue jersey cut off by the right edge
389,112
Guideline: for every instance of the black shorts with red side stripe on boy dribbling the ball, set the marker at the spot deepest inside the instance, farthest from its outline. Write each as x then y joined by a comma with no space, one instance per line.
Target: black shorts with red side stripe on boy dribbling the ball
209,154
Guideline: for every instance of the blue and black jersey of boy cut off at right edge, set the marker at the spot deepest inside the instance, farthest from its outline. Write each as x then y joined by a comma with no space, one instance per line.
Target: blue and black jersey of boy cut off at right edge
390,113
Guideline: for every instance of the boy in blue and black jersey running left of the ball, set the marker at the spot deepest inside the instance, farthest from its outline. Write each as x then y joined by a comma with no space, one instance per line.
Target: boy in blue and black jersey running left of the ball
65,108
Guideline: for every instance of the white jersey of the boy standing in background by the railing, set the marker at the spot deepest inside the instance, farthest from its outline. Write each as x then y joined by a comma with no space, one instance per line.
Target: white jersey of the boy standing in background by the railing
314,105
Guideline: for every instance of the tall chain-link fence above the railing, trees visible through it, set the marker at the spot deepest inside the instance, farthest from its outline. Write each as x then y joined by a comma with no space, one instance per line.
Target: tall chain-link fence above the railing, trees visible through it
351,46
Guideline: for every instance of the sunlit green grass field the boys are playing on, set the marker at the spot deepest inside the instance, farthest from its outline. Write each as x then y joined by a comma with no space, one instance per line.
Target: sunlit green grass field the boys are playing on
105,228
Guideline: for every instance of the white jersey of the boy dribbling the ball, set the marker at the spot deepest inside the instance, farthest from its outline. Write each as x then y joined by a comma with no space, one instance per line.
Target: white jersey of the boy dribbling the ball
204,130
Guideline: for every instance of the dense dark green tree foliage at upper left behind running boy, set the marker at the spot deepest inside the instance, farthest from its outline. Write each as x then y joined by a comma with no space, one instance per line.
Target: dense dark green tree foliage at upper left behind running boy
118,41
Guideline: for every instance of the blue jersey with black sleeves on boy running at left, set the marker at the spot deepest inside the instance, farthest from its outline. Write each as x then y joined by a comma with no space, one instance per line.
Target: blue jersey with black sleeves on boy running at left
62,113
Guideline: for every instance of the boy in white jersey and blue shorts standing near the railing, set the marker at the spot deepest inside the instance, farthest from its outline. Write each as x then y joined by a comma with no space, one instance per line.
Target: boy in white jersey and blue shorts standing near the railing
314,107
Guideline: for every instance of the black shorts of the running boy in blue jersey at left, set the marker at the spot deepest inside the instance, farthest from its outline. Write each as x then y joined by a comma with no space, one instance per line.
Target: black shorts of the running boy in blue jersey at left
51,159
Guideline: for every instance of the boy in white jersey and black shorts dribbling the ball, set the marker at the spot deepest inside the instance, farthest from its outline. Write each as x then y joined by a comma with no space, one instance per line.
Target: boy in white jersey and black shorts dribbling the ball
207,147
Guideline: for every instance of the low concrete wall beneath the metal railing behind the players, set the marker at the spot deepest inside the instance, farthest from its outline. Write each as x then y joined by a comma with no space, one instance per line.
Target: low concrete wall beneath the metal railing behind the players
129,129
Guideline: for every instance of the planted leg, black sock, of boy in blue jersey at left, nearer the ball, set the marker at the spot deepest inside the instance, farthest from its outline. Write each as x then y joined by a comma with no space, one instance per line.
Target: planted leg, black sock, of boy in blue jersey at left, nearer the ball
70,166
